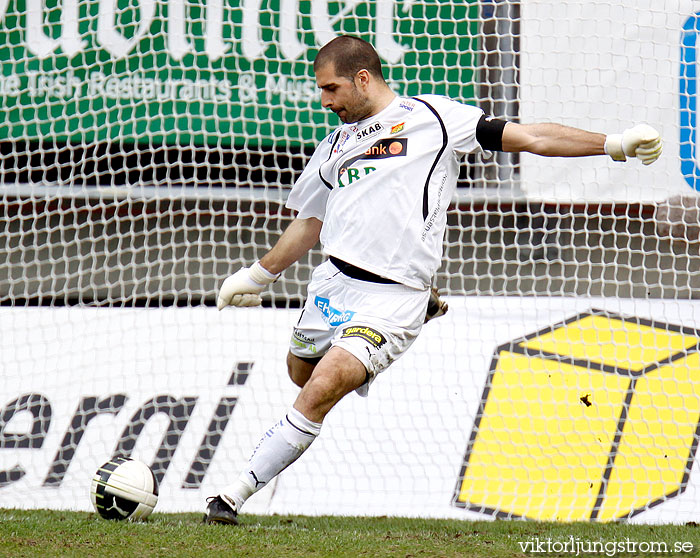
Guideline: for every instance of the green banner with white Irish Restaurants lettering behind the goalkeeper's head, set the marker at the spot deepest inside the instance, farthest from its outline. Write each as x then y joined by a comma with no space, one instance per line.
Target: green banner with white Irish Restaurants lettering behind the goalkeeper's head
200,72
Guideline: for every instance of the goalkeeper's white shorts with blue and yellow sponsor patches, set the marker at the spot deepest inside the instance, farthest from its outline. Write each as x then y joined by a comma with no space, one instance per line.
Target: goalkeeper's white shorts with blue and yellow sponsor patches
375,322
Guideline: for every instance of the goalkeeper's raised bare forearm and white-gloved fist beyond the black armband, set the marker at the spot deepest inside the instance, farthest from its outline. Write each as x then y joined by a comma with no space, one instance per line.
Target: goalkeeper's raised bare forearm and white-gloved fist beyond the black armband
555,140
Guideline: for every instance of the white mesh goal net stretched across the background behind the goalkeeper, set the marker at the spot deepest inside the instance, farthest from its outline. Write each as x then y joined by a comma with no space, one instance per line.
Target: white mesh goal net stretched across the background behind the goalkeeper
147,149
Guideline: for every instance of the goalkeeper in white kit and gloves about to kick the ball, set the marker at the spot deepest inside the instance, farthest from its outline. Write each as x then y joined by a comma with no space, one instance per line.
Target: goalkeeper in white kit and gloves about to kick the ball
376,192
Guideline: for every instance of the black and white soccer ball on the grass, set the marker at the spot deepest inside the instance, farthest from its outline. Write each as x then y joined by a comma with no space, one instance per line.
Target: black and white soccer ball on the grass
124,488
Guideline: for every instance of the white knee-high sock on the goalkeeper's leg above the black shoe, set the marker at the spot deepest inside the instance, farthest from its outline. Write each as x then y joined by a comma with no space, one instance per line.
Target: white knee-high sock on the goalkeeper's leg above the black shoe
277,449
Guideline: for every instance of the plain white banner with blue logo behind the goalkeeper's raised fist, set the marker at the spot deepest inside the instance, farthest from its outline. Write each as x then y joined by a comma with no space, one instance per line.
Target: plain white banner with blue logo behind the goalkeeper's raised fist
606,66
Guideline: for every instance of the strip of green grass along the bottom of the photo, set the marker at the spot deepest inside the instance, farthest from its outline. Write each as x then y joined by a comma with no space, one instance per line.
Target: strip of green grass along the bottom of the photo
66,534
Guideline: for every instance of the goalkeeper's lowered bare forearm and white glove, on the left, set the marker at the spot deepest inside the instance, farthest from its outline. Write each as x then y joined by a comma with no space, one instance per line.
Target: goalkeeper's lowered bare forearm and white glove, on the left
243,288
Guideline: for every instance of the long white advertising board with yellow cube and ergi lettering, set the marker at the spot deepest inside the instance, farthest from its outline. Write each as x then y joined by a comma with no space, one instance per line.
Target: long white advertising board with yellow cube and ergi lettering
505,407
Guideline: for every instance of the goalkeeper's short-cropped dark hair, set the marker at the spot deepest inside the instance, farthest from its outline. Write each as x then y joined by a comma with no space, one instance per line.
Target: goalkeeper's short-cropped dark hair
349,55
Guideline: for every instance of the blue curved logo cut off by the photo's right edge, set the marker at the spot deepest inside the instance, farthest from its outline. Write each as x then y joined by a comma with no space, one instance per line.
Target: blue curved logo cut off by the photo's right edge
689,101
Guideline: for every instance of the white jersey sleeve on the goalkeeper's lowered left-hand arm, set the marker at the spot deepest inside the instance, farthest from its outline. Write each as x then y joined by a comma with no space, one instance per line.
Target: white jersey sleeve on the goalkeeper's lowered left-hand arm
309,194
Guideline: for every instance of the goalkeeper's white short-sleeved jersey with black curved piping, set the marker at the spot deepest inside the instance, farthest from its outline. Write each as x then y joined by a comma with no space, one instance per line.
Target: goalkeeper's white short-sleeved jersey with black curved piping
382,186
